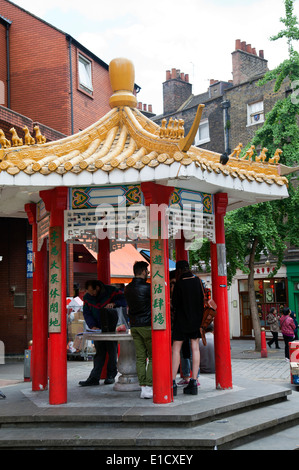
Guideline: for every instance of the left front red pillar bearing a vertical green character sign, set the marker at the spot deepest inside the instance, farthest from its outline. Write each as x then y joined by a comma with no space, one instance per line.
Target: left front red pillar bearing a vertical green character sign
56,202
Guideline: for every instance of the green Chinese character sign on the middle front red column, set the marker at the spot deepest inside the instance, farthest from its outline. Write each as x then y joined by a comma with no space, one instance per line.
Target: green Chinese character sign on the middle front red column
158,285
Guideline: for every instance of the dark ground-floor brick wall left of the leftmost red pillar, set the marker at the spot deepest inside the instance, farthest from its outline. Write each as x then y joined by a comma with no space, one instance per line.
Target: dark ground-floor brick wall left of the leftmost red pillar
15,323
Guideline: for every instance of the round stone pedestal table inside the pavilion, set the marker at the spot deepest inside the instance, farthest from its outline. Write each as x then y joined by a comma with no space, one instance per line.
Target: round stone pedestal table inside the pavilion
128,380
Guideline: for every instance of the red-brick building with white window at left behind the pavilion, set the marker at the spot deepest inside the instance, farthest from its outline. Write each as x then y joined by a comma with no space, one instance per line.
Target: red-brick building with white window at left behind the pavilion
49,79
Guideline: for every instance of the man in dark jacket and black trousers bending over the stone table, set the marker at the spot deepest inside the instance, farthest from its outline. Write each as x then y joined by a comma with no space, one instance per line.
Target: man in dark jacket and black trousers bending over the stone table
97,297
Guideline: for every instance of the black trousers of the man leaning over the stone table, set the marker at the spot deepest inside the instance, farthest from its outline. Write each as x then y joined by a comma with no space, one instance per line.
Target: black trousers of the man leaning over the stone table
102,348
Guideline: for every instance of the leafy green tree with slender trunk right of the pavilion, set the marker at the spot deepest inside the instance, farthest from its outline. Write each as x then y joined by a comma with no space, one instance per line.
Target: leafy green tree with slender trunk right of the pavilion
266,228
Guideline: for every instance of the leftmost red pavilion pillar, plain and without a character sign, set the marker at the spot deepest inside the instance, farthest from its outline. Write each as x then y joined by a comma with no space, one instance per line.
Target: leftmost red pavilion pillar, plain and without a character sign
39,363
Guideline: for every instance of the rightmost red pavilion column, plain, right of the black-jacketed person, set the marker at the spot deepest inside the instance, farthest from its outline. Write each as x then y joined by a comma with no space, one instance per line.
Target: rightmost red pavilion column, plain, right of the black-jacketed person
223,372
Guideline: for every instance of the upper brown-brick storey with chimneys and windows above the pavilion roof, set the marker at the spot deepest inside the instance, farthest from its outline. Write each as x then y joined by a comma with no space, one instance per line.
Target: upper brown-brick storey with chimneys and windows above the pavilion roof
234,109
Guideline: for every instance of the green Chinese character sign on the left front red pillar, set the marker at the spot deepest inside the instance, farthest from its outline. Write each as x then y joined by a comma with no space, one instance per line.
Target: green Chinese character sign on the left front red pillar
55,280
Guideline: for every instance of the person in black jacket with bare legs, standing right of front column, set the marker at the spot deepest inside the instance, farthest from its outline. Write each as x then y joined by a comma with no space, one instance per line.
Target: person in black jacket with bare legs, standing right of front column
188,304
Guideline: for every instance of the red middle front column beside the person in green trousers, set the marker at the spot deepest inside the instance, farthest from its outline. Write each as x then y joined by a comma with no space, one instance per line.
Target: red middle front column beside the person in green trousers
161,339
